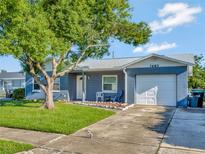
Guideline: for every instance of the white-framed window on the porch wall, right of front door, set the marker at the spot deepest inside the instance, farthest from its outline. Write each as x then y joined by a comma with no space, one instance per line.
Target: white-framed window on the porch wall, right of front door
109,83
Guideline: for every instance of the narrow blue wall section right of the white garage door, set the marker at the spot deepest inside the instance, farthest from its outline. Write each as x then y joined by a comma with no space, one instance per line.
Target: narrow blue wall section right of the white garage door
182,88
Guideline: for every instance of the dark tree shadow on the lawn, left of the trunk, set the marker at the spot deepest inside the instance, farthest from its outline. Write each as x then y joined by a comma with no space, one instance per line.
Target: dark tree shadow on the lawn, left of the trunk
20,103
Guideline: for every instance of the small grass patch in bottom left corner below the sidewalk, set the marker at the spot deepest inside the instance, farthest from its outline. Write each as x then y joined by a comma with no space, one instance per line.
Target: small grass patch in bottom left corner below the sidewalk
10,147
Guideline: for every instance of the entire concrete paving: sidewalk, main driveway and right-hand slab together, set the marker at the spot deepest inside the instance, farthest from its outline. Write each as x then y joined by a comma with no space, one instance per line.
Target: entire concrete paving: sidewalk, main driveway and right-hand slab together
141,129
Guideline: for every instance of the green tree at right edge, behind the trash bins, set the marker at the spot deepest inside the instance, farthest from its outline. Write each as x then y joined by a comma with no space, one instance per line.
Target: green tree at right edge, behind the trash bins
198,78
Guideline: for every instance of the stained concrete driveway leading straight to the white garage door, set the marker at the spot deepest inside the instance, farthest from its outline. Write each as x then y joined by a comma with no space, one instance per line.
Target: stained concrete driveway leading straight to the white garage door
138,130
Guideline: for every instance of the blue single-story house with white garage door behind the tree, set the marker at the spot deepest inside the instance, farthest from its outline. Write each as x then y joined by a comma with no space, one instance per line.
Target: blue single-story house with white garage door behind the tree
151,80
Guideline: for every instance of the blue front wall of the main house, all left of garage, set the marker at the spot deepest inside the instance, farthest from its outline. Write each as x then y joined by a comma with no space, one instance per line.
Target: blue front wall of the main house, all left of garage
68,84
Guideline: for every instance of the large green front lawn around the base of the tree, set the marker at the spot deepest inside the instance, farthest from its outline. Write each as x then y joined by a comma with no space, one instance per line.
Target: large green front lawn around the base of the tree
64,119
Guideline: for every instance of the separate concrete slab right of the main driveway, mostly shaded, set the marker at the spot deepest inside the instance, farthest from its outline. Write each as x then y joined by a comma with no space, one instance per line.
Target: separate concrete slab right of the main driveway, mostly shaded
186,133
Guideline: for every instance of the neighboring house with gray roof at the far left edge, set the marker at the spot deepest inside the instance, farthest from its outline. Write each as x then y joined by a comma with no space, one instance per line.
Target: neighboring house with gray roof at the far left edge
11,80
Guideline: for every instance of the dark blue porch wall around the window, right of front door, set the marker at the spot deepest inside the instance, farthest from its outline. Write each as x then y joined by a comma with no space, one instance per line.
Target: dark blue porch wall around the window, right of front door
94,83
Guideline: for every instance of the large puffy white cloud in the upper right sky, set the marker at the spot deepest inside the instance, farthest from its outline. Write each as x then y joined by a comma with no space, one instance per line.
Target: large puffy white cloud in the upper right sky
173,15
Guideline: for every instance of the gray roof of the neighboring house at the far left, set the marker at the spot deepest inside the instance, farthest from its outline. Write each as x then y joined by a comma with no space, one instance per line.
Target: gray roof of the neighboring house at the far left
11,75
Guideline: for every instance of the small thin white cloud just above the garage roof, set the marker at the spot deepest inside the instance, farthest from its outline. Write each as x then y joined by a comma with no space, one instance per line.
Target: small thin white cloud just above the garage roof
154,47
